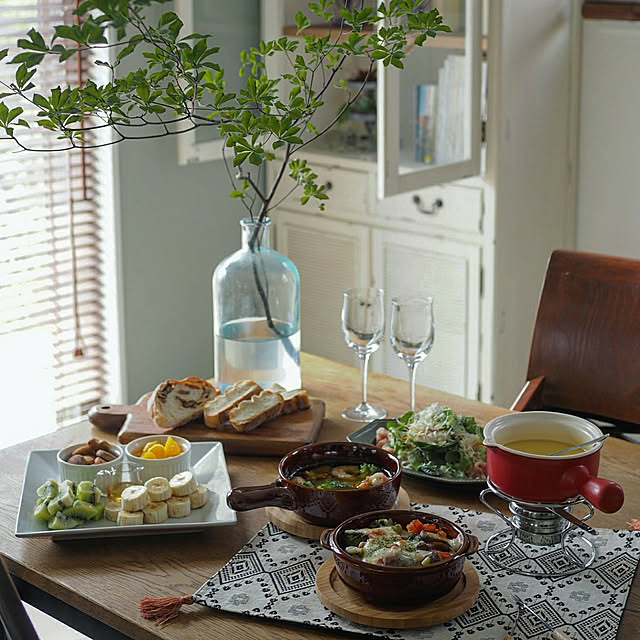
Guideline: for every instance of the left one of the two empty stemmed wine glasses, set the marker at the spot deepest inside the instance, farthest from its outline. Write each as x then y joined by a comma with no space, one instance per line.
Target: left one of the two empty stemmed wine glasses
363,328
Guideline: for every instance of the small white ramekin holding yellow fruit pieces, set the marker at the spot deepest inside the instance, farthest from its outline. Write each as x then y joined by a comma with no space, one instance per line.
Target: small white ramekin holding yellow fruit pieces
159,455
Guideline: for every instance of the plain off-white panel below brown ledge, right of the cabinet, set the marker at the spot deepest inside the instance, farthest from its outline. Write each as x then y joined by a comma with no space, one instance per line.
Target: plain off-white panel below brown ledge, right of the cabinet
608,208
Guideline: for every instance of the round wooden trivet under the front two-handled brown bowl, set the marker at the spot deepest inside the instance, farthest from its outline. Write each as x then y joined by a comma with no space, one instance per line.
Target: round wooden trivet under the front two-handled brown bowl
349,604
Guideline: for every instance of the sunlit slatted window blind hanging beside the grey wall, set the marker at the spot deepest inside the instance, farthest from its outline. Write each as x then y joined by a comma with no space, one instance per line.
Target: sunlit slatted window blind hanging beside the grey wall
52,316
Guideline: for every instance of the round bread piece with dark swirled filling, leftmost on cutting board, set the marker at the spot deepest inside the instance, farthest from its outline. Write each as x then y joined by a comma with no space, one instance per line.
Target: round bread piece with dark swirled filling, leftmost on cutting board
177,402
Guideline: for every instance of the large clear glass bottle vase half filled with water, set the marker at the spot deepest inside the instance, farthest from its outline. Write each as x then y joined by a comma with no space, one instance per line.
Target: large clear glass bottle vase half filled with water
256,313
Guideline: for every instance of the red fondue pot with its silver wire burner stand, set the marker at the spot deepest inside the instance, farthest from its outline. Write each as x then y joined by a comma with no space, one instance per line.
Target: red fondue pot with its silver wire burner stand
544,538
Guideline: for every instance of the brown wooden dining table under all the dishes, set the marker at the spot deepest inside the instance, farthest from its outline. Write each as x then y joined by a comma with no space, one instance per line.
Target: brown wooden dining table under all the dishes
104,578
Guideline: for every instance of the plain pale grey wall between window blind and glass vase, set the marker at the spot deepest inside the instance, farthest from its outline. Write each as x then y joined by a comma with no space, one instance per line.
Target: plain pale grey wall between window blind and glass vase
176,223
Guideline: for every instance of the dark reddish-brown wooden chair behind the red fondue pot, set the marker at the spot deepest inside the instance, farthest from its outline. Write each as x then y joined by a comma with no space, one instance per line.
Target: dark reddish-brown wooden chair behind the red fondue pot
585,351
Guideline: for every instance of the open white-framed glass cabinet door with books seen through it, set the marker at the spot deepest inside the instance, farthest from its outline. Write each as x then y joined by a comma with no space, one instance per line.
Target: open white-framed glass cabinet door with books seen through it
429,125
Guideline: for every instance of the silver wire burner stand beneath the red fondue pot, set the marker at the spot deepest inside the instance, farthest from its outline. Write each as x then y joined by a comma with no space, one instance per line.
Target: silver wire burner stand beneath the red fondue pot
526,545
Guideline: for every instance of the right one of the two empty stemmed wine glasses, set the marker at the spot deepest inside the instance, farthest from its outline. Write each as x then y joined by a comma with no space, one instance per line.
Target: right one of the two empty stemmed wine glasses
412,333
